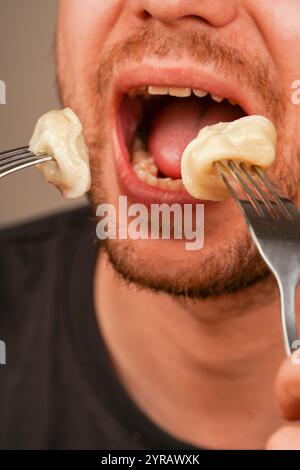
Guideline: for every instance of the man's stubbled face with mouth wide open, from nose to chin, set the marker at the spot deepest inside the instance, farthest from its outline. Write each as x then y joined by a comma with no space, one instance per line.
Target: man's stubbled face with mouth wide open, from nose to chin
109,52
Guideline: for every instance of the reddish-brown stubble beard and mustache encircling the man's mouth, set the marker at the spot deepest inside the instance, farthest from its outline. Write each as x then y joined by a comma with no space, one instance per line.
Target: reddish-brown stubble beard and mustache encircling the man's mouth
226,264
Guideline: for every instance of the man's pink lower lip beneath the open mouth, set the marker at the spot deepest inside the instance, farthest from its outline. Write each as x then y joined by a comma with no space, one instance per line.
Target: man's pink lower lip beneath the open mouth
136,189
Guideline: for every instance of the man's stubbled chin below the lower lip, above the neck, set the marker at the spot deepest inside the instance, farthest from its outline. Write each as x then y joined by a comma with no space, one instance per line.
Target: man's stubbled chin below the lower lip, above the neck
227,262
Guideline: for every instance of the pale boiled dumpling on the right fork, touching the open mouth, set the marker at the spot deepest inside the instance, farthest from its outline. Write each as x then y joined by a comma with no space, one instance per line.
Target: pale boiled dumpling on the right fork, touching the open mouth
251,139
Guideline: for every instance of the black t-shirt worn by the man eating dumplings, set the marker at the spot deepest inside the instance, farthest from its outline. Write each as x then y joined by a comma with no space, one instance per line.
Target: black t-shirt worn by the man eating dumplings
58,388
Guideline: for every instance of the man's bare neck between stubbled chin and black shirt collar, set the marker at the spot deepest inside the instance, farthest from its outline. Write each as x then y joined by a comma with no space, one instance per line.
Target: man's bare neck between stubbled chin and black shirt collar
196,368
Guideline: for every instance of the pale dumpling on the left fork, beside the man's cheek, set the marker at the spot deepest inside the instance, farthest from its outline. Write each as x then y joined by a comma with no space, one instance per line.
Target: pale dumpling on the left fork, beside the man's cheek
59,133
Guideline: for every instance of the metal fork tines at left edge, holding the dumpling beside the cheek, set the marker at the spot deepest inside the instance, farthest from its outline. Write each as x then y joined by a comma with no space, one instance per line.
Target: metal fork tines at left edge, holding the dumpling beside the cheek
19,158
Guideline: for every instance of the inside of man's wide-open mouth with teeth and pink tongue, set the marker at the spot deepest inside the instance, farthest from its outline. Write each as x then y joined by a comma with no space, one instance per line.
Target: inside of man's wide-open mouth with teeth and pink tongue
157,123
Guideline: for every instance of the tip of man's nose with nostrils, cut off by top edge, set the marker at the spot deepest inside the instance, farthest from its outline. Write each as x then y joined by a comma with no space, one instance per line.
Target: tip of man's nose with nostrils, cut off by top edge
217,13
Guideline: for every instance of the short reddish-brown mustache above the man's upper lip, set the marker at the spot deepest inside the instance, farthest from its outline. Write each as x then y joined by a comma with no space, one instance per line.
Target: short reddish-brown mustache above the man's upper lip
200,47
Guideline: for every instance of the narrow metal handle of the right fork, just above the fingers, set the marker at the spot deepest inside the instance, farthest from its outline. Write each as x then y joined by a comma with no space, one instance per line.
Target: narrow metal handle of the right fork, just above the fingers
287,291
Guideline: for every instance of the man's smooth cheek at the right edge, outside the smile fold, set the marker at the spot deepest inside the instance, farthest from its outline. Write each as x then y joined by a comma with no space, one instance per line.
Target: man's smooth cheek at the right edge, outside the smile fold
278,23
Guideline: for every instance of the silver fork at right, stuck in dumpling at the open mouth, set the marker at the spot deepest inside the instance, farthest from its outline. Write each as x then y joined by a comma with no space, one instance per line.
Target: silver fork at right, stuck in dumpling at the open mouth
274,225
